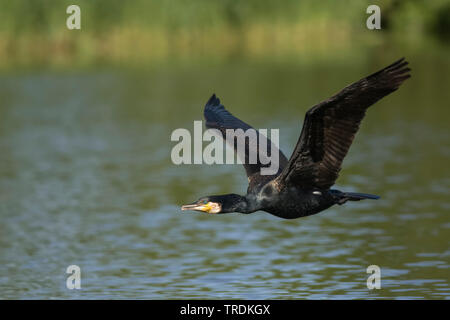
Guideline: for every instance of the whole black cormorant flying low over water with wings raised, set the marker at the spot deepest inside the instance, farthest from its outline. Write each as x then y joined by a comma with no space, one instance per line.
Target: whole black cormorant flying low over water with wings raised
301,187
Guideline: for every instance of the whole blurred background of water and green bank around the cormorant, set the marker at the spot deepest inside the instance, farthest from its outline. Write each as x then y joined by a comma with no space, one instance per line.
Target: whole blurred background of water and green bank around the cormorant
85,170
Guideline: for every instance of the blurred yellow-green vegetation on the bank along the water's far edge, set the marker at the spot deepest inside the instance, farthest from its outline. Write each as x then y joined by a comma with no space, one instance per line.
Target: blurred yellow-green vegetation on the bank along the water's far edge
136,31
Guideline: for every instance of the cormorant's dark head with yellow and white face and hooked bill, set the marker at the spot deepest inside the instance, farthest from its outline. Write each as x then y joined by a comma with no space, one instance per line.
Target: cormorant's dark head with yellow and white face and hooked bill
217,204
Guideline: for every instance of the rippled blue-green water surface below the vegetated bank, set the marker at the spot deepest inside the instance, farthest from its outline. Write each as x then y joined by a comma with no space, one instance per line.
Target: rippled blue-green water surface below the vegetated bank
86,179
